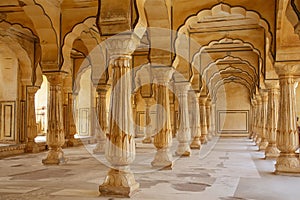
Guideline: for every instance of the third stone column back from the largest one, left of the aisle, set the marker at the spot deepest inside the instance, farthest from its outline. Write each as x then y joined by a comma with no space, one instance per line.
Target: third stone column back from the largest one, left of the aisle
183,134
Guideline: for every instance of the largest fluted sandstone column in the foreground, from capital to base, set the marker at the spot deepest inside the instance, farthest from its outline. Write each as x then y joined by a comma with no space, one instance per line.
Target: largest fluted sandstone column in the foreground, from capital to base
120,146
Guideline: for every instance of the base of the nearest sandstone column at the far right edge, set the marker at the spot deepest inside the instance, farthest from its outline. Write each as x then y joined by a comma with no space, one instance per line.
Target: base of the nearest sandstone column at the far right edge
287,164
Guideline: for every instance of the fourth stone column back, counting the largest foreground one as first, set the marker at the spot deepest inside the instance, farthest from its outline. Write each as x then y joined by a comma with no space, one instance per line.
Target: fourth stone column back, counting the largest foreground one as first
195,122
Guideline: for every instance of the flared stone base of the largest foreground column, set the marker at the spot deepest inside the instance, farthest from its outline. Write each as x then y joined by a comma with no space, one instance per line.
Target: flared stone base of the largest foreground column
119,183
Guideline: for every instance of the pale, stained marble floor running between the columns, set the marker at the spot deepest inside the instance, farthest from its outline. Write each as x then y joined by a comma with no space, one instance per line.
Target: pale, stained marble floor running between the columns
225,169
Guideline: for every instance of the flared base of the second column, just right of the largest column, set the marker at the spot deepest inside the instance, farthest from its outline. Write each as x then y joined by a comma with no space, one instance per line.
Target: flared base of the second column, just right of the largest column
162,160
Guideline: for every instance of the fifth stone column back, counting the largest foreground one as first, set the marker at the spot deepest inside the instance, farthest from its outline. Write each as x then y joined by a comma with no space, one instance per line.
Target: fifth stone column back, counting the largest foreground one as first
203,118
